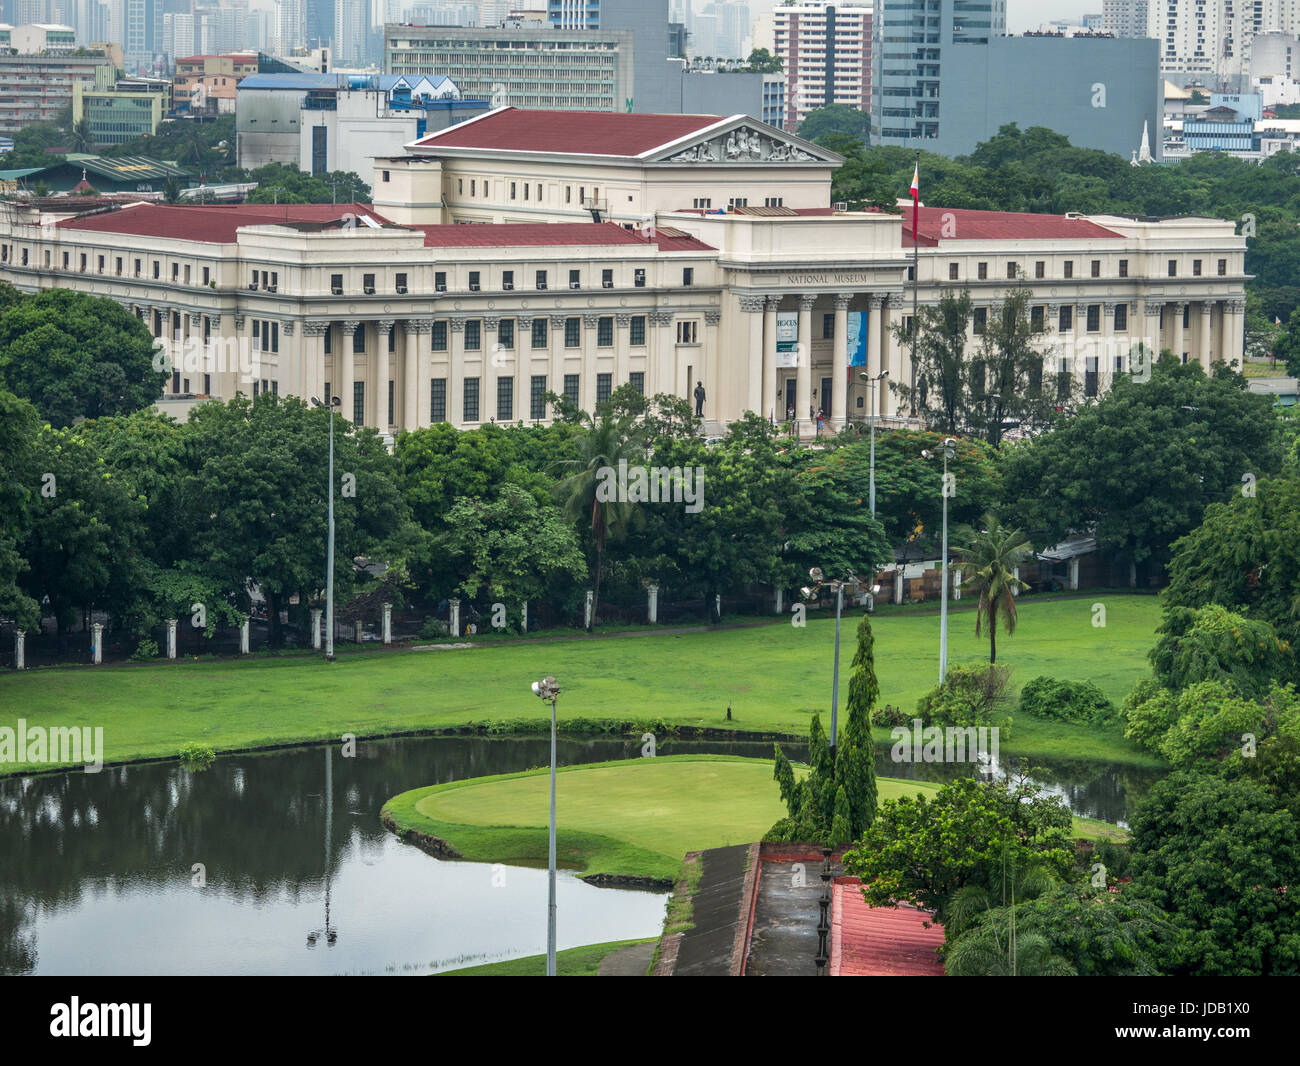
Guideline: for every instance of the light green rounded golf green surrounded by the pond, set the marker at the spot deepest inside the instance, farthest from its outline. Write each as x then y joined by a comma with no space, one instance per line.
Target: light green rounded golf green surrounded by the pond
632,818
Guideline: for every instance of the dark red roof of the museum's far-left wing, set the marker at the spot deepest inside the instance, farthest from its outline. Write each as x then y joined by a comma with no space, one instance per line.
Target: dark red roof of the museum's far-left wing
211,224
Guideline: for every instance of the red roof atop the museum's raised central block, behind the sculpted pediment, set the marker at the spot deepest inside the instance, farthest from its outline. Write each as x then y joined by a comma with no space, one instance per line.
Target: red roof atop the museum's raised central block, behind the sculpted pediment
586,133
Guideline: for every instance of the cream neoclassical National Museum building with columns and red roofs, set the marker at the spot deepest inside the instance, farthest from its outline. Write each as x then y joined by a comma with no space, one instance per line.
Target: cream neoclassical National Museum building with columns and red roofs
531,252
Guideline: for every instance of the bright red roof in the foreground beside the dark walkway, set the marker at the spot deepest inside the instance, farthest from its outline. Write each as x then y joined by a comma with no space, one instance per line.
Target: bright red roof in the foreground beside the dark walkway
881,942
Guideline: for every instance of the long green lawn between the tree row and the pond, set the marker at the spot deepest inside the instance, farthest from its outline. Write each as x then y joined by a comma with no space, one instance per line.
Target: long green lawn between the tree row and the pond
773,677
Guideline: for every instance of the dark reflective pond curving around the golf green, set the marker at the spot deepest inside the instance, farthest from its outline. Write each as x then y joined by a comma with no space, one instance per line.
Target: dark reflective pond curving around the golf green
101,874
